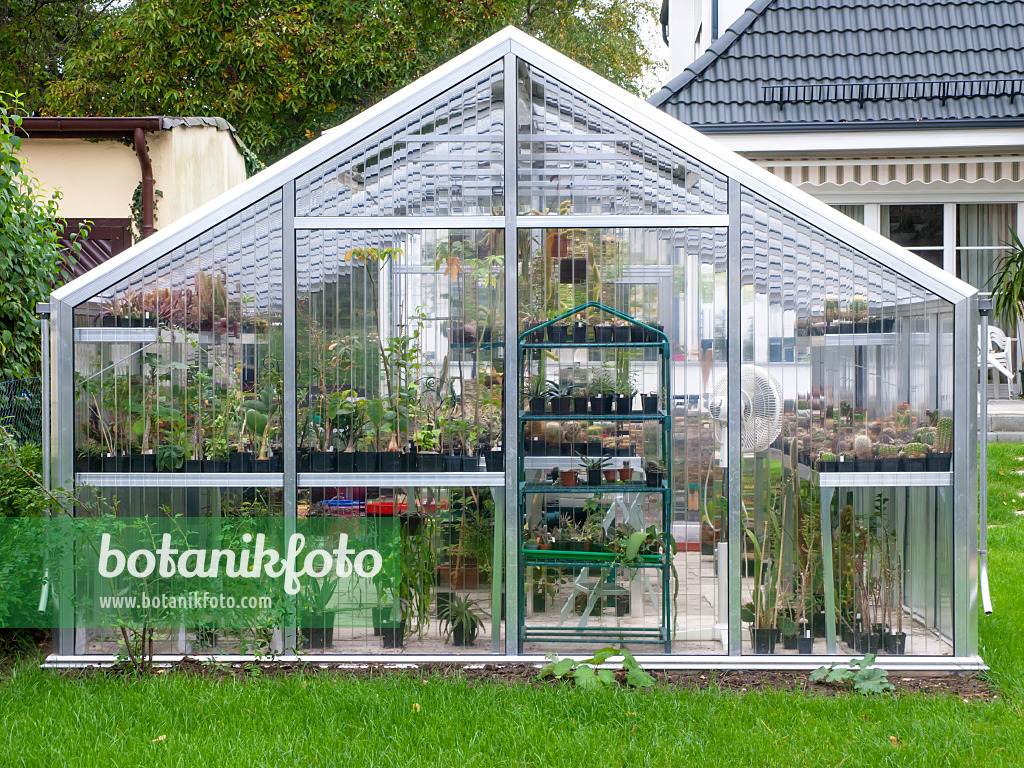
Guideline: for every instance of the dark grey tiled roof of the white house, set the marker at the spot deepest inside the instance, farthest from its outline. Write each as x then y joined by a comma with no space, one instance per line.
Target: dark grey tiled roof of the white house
814,62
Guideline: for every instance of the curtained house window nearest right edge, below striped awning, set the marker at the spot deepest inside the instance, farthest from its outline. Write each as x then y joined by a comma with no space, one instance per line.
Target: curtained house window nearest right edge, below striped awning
983,233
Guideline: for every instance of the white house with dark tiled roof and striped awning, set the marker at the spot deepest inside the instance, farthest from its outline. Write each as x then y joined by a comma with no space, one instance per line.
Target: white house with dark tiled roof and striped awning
905,116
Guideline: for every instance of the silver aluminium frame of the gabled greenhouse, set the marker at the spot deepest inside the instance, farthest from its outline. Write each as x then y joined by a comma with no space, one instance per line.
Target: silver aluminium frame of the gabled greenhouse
510,47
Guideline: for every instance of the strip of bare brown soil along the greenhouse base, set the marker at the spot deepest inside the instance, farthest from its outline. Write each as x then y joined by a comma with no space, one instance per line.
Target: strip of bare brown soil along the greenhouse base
971,688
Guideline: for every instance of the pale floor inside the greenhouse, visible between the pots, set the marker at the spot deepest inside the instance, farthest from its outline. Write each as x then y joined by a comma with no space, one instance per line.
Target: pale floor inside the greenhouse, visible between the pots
699,631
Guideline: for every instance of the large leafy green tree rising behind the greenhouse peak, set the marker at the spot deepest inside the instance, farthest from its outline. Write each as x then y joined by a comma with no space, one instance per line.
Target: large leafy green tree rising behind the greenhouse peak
282,71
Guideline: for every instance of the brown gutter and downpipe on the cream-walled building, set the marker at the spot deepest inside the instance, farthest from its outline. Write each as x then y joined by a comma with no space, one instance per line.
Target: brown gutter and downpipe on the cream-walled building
129,130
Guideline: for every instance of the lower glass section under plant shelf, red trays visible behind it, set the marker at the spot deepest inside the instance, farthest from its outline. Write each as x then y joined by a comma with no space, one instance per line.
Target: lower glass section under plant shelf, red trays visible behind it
436,594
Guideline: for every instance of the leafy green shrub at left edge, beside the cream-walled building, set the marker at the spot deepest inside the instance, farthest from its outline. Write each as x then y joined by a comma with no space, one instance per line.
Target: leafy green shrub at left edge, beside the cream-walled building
30,252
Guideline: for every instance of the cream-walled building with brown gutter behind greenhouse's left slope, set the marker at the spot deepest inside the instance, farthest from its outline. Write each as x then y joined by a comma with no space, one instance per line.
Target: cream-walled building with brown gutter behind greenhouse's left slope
131,176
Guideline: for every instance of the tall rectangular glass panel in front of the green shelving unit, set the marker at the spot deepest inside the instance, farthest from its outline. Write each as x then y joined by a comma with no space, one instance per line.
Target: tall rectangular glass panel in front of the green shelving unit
672,279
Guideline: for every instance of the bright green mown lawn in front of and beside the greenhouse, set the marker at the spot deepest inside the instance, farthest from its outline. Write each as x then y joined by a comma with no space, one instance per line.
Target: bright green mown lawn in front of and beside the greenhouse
316,721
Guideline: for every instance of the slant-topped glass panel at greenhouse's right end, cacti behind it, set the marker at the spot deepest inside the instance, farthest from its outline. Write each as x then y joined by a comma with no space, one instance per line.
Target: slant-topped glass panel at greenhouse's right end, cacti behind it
847,368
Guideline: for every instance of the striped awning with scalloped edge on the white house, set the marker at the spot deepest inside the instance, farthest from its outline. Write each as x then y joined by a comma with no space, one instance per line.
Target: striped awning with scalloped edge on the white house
885,172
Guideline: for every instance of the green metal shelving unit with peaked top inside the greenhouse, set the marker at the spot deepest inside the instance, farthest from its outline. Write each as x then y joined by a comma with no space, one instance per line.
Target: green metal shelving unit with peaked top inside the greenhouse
604,562
